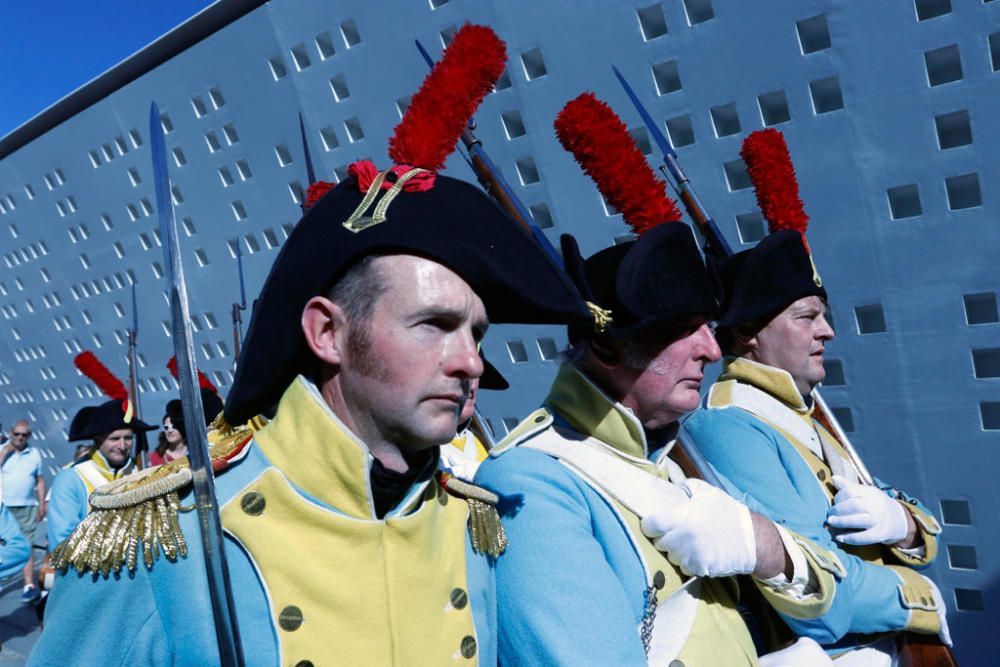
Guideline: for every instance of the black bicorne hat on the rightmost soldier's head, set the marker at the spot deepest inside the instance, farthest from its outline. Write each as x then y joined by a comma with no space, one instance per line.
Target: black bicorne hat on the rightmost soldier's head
761,282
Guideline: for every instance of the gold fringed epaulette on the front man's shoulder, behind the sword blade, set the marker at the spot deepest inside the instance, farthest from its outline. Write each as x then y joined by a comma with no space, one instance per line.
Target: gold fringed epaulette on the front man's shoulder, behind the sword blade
141,510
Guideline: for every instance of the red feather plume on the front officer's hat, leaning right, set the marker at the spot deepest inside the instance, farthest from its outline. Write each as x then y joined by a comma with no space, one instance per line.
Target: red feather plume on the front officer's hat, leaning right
441,109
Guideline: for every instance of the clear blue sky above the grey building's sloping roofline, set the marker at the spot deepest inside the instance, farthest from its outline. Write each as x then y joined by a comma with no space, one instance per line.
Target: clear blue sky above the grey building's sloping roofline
51,48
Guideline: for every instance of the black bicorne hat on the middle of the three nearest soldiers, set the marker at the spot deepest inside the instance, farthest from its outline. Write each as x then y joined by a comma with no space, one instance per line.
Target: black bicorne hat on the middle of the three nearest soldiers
659,277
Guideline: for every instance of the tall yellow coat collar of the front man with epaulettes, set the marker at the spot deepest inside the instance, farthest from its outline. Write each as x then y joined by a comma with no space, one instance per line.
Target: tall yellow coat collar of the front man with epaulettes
320,455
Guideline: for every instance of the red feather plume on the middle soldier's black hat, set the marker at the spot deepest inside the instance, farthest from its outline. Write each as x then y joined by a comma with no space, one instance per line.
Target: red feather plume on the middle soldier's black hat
590,130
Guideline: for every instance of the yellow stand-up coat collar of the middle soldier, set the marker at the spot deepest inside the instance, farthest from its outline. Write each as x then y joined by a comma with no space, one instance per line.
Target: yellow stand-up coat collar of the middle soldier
589,410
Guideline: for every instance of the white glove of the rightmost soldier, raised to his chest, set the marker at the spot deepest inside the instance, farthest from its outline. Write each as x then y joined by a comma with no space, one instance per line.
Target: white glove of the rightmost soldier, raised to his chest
867,509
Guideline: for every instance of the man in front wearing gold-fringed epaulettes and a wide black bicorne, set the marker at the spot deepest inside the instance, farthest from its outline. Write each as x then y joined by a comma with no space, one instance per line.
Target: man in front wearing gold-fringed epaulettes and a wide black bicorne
343,543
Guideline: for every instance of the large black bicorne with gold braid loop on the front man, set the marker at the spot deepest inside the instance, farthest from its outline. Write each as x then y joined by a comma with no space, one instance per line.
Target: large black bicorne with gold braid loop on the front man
452,223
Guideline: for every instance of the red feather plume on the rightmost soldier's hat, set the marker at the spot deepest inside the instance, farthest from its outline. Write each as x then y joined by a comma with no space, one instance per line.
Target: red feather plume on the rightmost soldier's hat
773,175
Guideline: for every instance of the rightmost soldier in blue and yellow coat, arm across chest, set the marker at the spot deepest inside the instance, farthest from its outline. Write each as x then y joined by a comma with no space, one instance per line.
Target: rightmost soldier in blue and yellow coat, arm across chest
758,430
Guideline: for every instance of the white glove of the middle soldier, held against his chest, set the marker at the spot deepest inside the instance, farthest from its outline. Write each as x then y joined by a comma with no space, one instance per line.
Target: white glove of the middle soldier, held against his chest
708,535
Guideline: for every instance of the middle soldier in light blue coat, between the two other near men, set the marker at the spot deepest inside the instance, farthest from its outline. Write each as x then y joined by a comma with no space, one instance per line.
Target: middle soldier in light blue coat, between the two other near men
616,558
